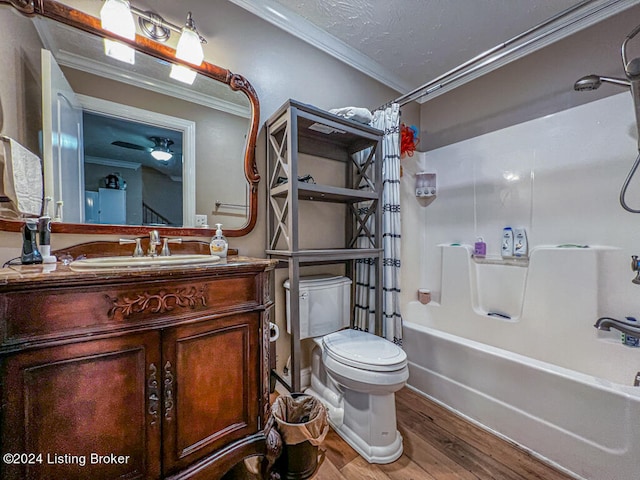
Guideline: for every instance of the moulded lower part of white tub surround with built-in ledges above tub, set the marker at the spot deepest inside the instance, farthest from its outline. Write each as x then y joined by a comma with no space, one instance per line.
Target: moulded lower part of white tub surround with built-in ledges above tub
548,312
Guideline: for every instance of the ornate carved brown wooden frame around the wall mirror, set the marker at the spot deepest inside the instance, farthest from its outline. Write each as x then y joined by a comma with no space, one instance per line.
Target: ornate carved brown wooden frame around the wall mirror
75,18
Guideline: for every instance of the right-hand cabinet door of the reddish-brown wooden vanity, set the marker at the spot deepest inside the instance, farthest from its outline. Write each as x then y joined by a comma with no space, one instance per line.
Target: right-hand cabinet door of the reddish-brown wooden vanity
211,379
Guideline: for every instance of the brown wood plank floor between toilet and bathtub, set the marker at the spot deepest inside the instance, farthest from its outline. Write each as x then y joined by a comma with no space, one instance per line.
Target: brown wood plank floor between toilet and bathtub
438,445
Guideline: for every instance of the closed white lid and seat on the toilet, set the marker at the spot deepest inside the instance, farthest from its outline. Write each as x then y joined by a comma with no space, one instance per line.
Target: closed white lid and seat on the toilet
364,350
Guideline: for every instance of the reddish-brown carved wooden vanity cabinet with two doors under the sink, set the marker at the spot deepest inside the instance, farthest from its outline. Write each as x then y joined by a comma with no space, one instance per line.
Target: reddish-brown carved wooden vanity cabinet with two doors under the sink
144,378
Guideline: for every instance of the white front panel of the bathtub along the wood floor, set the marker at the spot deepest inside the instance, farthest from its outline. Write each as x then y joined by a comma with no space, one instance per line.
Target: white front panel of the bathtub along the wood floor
587,426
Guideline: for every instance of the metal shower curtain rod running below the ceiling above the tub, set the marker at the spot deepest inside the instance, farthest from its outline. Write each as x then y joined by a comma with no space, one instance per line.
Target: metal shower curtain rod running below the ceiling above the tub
462,70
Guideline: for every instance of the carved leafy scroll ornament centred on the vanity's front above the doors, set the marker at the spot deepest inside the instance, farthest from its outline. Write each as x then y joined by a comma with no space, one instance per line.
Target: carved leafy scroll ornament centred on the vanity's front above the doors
161,302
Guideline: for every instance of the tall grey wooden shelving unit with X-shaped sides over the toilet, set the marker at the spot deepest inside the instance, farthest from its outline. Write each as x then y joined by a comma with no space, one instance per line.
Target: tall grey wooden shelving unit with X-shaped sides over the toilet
297,128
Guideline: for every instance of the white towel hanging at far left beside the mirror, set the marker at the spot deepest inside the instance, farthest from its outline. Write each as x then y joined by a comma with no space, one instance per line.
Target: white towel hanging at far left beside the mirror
22,178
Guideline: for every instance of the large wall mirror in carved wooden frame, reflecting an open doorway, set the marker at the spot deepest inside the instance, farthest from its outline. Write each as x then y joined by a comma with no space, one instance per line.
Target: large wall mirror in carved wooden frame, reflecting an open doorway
98,123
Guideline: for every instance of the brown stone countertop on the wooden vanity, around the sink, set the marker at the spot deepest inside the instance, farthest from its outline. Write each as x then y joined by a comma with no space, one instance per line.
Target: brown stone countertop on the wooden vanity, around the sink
57,273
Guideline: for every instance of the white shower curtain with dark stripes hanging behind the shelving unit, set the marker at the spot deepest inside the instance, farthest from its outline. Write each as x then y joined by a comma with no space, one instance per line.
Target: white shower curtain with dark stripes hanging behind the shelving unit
387,120
